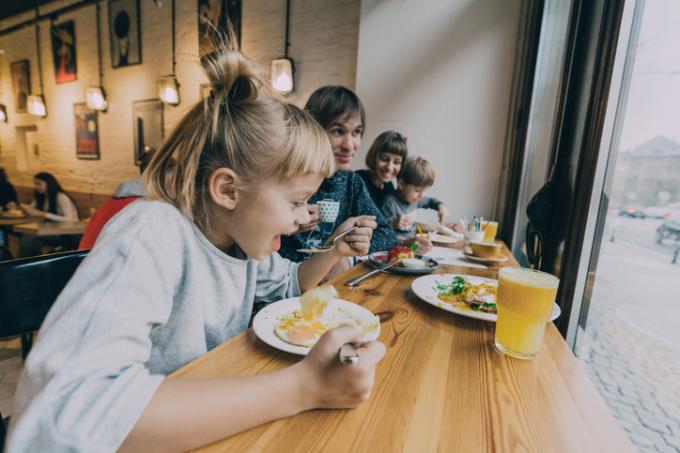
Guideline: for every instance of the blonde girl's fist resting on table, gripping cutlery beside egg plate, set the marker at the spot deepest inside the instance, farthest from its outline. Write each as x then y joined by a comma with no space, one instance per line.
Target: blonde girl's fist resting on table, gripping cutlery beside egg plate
327,383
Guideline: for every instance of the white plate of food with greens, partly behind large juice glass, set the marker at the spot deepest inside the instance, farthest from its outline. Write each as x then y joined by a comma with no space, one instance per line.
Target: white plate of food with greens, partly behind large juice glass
466,295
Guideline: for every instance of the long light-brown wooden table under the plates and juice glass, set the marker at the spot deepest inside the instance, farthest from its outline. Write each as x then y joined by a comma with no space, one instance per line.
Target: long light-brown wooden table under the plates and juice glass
441,387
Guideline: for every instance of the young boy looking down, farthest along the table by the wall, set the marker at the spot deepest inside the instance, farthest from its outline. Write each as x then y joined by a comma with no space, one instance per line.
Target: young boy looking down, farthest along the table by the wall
417,175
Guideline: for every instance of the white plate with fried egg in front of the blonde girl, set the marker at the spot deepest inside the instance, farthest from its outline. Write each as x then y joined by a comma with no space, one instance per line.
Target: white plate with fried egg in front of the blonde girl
295,325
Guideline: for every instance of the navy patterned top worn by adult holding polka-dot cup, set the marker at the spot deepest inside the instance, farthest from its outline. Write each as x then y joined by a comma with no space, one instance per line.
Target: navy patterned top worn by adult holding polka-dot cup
349,189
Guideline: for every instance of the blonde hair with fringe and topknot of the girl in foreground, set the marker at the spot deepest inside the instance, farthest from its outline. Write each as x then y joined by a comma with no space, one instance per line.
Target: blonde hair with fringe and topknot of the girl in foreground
240,126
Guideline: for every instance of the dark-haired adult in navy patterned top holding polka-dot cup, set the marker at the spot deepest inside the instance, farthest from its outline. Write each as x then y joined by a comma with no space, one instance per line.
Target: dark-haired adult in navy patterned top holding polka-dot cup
341,114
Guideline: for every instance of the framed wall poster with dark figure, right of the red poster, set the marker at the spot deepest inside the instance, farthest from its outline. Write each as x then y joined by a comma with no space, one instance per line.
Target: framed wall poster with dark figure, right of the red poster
124,33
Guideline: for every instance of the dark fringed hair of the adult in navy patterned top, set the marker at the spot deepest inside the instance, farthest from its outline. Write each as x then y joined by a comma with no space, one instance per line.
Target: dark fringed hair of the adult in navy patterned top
331,102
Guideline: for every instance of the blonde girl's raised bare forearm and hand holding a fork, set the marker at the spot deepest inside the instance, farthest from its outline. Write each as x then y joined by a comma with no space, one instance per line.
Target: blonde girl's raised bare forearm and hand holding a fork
355,243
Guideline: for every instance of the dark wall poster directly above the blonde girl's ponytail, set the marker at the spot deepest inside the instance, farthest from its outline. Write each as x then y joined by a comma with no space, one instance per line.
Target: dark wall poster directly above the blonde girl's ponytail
213,17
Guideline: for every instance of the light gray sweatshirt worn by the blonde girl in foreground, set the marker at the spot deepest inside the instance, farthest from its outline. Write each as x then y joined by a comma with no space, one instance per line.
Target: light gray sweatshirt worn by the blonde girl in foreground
153,295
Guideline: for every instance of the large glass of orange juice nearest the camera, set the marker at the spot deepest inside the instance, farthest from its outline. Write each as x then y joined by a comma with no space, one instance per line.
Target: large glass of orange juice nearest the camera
524,303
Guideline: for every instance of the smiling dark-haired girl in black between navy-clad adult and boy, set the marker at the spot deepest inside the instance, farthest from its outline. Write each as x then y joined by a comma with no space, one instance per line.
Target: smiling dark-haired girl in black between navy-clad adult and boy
384,160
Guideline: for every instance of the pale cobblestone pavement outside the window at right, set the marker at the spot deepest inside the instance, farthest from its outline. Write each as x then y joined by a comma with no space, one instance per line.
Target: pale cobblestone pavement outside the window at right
631,346
